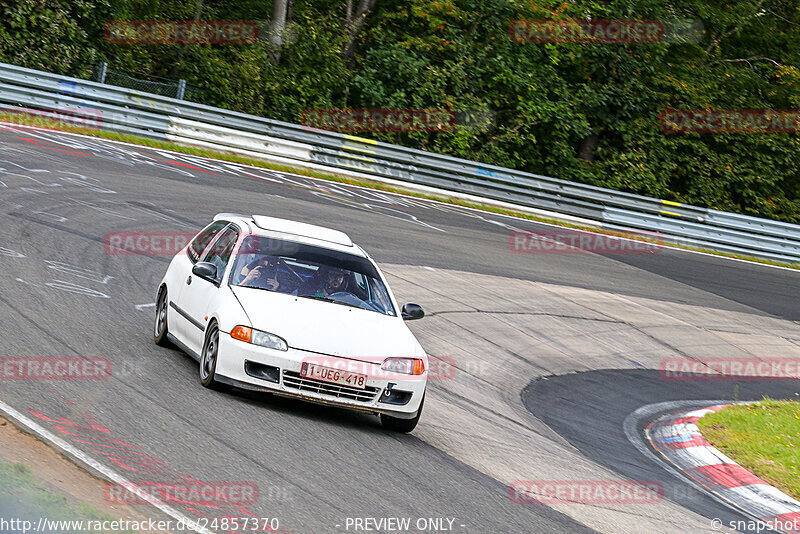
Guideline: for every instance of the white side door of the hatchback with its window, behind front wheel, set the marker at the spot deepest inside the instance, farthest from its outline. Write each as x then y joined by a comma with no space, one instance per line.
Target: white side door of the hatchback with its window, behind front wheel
199,295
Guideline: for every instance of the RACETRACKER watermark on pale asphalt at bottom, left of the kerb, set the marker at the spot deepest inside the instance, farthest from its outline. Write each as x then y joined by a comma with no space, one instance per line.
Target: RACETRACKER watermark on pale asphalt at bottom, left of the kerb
586,491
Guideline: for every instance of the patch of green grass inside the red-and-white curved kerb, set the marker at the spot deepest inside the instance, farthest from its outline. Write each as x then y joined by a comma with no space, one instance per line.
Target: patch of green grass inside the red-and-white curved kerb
764,438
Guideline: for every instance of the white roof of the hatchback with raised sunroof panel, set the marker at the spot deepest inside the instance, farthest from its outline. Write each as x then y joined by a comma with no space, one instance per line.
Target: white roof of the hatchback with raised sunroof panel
297,231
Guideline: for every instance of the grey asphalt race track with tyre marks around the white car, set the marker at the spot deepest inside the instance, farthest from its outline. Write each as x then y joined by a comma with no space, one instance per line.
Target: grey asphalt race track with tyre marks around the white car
551,351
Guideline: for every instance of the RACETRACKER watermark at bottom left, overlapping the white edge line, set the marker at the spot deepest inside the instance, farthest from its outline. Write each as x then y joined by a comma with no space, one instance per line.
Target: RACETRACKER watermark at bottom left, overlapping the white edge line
195,492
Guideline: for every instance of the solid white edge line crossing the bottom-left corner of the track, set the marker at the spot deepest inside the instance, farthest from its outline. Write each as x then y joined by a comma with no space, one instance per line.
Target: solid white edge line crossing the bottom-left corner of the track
107,472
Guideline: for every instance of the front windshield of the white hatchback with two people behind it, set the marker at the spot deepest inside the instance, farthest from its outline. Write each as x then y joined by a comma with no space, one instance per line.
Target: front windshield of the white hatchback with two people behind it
310,272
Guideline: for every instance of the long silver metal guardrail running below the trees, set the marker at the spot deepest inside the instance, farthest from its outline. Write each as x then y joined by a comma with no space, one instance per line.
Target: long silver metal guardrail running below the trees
154,116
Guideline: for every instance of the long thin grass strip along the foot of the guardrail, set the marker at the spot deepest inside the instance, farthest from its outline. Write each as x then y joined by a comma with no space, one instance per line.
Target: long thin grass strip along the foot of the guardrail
44,122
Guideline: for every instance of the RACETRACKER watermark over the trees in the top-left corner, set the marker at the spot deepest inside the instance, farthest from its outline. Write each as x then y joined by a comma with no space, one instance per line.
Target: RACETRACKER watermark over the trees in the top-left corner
181,32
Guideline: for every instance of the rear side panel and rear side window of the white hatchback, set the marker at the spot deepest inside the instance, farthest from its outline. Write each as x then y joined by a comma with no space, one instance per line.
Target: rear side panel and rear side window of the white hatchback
180,270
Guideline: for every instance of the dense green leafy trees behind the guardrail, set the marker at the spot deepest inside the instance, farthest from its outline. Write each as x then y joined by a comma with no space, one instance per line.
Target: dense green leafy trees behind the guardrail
586,112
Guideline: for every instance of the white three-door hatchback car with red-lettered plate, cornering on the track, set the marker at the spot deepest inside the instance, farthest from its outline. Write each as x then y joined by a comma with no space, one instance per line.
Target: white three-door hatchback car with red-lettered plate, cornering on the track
293,309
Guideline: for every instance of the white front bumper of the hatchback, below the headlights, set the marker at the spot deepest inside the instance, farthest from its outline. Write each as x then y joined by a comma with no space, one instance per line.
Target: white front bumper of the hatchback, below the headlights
251,367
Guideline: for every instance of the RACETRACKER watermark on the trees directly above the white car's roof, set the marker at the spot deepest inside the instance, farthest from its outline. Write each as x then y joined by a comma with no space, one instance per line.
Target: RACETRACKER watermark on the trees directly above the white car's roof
380,120
